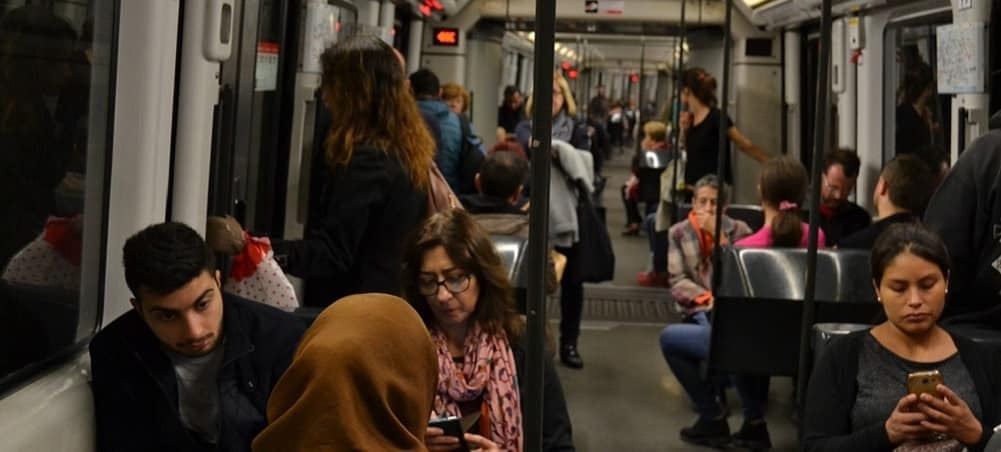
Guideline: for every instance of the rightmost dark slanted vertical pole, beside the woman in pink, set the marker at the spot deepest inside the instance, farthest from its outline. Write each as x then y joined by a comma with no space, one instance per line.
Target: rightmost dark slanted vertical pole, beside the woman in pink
821,126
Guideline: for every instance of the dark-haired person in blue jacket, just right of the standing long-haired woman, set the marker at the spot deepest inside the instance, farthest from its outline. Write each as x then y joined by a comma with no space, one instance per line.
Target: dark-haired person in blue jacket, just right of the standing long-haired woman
428,90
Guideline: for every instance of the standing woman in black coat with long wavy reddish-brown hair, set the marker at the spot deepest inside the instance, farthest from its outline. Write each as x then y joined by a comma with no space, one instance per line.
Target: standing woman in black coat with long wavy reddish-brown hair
379,158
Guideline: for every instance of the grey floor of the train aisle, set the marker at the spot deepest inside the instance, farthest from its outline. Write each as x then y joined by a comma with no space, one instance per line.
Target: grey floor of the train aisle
626,397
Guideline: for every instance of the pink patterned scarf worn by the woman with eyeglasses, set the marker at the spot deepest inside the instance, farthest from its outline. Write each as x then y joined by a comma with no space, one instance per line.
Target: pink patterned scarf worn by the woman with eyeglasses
488,371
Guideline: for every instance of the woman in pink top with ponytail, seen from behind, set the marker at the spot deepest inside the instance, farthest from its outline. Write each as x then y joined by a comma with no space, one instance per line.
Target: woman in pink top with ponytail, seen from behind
783,187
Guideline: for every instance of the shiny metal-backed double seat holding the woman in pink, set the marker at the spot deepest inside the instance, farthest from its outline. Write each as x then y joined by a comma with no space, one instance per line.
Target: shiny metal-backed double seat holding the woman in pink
758,313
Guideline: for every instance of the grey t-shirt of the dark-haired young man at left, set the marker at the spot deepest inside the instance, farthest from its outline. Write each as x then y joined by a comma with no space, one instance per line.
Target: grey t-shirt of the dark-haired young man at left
199,393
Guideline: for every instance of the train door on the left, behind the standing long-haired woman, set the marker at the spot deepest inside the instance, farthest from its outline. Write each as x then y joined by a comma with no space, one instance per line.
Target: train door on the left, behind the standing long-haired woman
266,122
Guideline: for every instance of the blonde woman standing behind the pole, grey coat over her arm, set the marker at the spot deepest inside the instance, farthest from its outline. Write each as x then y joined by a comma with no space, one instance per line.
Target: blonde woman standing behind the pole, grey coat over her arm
566,129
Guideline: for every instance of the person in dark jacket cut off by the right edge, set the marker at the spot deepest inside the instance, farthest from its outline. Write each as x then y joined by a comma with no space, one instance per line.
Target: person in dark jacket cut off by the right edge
965,212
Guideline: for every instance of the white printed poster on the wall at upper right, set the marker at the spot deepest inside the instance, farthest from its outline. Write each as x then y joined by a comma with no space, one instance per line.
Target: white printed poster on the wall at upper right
962,58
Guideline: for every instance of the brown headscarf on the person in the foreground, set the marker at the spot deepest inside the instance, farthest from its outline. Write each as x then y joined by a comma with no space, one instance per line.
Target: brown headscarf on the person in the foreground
364,378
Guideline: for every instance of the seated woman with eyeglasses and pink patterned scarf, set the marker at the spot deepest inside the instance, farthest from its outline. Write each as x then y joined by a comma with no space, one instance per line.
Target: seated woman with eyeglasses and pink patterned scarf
456,280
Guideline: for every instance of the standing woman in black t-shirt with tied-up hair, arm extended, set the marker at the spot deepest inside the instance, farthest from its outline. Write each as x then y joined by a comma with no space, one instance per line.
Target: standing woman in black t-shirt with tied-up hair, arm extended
701,129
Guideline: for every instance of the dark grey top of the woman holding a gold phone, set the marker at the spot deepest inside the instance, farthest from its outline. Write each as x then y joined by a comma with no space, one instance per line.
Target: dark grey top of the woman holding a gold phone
882,382
